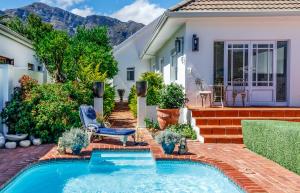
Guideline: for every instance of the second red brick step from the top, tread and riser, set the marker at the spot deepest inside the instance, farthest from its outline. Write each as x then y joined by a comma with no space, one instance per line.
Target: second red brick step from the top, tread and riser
237,120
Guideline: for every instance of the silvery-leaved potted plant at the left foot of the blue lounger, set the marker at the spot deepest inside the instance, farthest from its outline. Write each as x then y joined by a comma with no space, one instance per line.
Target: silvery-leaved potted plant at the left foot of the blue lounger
74,139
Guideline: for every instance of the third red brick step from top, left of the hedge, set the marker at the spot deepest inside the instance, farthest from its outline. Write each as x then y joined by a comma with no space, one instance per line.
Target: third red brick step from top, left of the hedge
220,129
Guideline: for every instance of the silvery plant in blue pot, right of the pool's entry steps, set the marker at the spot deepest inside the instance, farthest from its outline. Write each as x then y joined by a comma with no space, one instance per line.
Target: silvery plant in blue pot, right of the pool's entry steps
167,139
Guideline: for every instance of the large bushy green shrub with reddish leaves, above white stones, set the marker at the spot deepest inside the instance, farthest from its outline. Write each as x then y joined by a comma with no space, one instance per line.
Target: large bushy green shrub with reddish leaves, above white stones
46,111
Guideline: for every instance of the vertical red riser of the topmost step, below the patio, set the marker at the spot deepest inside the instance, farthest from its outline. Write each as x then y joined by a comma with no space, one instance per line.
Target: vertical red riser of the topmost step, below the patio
245,113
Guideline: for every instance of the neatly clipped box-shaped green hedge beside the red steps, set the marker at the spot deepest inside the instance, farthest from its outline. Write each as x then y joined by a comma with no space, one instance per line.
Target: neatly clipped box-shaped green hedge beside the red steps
276,140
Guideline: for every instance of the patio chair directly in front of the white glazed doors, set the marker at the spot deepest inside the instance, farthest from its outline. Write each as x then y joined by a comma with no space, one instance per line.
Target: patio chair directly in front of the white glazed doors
239,88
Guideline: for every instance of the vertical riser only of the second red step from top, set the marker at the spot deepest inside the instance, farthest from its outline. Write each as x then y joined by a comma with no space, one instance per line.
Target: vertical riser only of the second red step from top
233,121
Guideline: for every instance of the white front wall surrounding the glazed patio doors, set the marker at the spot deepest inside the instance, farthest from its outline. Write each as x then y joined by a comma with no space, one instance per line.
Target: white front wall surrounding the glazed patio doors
257,28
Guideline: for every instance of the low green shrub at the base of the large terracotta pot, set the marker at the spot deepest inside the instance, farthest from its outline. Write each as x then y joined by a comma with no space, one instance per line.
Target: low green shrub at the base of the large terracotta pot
185,130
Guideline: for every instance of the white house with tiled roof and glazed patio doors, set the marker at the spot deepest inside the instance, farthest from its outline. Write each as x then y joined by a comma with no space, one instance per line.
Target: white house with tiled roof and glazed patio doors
219,41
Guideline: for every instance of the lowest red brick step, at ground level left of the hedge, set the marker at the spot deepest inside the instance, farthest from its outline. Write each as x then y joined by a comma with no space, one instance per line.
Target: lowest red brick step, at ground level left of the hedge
237,139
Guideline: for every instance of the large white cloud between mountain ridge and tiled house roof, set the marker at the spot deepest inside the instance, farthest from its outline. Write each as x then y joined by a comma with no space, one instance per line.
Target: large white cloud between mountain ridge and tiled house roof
140,11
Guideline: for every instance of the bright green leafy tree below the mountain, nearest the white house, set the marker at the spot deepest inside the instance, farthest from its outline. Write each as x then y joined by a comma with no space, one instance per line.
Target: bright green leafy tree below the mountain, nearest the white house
91,47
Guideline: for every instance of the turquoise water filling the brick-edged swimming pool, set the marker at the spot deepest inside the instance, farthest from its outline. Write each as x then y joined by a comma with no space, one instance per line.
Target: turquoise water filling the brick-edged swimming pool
116,172
